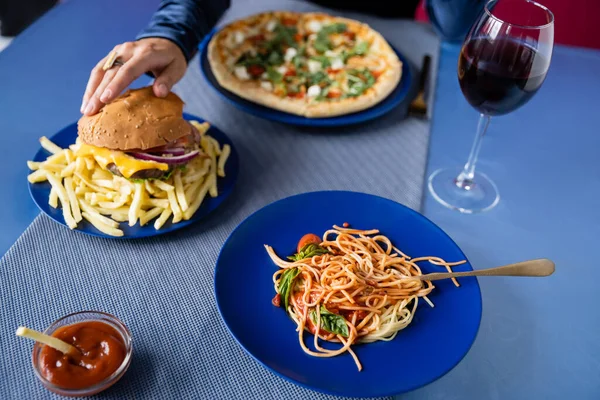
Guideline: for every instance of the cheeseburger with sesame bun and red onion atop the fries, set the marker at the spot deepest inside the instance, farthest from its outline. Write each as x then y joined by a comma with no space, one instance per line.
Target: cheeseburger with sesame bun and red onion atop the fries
140,136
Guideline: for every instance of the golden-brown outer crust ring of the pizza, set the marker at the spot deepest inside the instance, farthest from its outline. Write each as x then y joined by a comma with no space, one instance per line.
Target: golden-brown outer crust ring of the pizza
252,91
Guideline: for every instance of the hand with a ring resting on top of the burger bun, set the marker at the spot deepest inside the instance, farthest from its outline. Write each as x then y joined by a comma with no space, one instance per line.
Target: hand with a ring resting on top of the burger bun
160,56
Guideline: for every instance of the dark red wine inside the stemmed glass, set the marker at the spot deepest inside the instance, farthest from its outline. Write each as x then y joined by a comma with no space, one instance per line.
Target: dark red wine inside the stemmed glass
498,76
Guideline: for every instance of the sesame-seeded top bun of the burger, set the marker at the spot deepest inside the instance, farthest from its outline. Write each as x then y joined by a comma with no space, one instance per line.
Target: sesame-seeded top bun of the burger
136,120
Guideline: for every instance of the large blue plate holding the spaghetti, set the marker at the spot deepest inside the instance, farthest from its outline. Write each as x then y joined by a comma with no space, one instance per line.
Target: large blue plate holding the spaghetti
436,340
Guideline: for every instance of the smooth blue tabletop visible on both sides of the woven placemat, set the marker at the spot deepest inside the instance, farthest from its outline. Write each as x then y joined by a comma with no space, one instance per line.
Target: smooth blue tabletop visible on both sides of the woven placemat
538,338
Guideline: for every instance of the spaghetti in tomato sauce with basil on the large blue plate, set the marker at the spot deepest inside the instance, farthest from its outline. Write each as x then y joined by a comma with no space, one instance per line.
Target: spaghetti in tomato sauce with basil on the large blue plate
351,286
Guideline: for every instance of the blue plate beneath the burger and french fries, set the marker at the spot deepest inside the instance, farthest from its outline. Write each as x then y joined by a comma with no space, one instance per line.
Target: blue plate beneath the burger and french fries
40,191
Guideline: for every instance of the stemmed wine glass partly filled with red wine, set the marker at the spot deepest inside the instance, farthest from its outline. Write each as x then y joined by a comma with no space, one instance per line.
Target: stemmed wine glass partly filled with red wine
503,62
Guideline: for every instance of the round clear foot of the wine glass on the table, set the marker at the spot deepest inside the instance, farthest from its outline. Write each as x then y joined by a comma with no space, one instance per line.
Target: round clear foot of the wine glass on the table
467,196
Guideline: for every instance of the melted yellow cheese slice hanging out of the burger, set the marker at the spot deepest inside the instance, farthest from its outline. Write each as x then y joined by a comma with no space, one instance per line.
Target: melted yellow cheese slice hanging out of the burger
127,165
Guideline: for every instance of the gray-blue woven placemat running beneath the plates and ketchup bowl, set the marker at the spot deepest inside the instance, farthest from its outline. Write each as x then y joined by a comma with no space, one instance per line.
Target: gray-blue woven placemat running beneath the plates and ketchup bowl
162,287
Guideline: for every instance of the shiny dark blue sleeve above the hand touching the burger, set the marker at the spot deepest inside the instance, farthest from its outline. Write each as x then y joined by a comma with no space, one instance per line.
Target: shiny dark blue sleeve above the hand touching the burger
185,22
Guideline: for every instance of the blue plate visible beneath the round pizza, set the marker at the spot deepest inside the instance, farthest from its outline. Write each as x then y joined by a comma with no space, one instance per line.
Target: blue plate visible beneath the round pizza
389,103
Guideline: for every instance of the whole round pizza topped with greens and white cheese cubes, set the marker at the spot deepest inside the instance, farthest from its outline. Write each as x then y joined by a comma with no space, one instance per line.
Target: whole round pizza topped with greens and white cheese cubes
309,64
